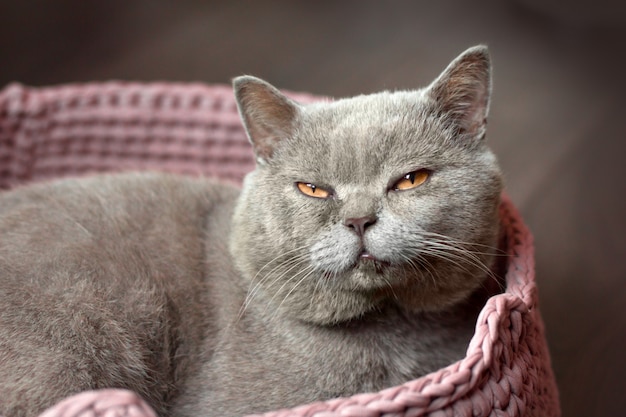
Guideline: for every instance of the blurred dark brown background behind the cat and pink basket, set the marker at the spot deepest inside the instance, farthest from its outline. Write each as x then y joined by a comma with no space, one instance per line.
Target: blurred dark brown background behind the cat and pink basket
557,119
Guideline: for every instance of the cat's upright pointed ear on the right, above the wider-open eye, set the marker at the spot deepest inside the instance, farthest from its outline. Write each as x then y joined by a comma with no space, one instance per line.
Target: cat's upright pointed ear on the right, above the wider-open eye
463,90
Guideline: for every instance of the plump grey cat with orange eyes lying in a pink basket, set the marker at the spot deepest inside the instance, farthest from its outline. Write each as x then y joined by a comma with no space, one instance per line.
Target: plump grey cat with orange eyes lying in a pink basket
356,257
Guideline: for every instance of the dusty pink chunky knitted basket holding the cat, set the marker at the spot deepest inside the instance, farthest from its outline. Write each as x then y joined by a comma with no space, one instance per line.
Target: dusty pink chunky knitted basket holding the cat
195,129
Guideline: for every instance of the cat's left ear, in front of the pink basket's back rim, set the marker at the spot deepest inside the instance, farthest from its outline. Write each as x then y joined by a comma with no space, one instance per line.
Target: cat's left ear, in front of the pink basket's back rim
268,116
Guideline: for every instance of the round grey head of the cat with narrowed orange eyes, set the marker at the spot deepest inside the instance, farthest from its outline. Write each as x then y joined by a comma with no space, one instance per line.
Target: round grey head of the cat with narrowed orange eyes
383,198
